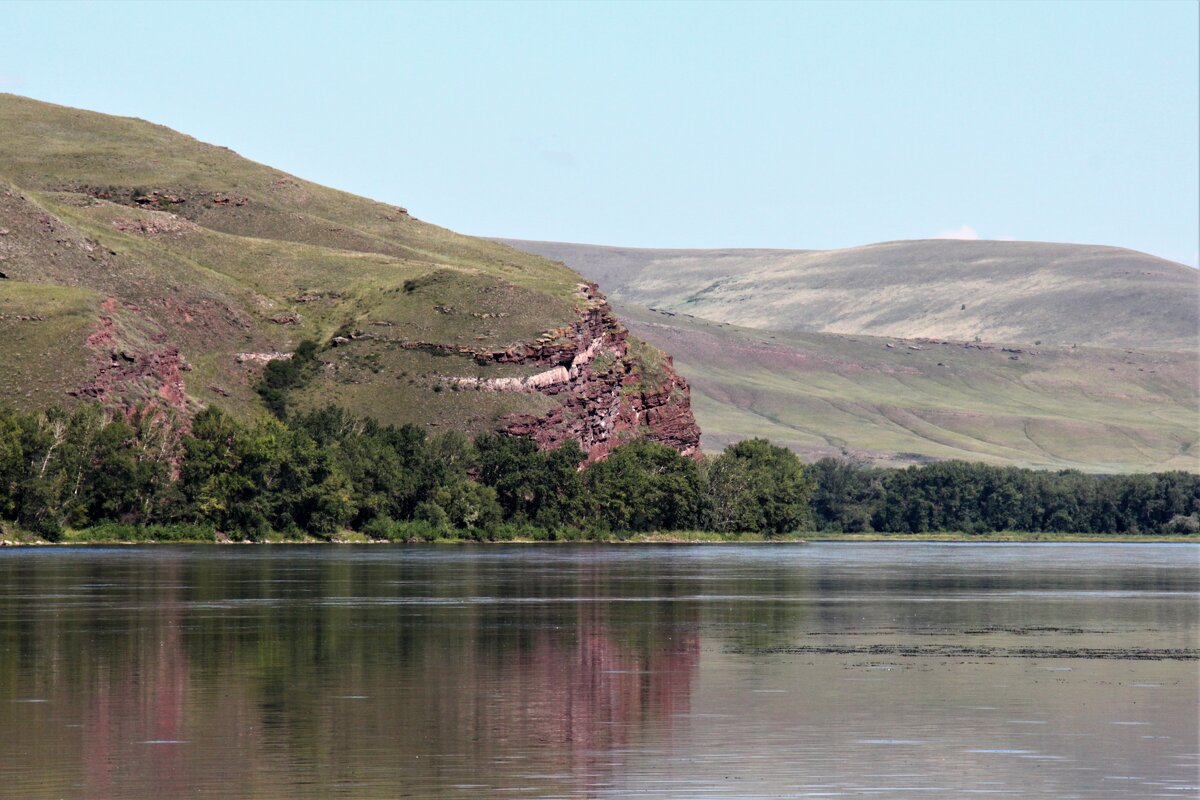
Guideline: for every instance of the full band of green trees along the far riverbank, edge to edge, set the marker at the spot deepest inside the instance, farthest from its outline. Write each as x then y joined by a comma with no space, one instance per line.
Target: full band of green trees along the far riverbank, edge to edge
88,476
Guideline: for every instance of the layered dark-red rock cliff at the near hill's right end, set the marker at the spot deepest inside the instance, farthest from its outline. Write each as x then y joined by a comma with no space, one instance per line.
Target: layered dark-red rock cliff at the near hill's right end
608,396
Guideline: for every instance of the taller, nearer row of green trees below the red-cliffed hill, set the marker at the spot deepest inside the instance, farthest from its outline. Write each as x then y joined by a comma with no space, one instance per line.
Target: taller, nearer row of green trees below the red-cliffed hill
325,472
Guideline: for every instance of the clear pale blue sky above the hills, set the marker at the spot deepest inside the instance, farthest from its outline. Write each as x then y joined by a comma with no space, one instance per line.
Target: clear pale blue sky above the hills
807,125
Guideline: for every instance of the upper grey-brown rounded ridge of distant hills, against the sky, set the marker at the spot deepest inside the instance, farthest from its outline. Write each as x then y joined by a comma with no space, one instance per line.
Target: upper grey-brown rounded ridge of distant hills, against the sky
998,291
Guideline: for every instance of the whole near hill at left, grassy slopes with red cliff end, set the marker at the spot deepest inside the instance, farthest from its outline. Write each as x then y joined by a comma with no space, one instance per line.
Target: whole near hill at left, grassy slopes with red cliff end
141,266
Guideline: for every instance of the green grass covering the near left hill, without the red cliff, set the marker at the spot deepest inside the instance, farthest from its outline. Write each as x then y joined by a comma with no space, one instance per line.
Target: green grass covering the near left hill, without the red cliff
283,261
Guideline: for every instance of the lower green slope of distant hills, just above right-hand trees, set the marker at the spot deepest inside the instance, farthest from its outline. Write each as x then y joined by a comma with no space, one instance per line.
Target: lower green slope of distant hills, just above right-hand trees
1094,410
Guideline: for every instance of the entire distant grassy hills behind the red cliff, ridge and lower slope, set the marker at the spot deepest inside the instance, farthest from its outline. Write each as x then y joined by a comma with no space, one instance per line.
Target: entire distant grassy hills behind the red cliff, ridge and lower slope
868,352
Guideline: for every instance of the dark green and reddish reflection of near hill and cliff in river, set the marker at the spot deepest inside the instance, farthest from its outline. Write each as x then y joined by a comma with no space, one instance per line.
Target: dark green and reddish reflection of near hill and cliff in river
200,672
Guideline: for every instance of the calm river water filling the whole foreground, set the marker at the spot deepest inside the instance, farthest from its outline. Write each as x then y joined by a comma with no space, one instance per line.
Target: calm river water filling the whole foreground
811,671
